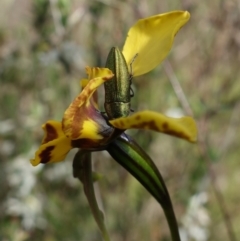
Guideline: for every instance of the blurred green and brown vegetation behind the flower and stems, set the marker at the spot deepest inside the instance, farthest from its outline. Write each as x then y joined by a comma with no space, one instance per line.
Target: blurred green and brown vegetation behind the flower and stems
44,48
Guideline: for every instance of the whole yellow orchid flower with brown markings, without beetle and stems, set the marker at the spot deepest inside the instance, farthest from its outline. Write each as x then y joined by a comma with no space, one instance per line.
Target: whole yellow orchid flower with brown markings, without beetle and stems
84,126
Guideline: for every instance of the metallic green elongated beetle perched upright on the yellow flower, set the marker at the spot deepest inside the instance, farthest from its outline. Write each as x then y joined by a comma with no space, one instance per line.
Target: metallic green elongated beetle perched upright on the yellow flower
118,89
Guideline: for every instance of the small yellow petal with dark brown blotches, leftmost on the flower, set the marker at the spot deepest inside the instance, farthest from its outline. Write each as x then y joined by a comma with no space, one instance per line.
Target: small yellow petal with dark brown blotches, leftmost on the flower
55,145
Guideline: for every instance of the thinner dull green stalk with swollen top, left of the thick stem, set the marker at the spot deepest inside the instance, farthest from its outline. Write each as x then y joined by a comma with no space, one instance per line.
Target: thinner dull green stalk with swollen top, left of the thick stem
82,169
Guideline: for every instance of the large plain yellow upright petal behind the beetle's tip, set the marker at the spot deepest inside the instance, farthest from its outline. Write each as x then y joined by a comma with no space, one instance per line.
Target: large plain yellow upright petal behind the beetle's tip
152,38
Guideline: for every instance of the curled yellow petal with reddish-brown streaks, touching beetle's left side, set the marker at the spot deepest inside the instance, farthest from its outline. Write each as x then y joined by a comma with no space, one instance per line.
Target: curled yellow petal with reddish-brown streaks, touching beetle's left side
81,119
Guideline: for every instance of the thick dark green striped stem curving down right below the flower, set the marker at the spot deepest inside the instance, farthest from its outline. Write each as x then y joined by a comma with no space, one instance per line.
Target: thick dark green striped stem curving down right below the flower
131,156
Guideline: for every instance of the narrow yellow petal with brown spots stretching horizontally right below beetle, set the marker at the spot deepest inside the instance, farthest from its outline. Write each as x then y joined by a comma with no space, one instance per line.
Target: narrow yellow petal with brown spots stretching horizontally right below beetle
184,127
